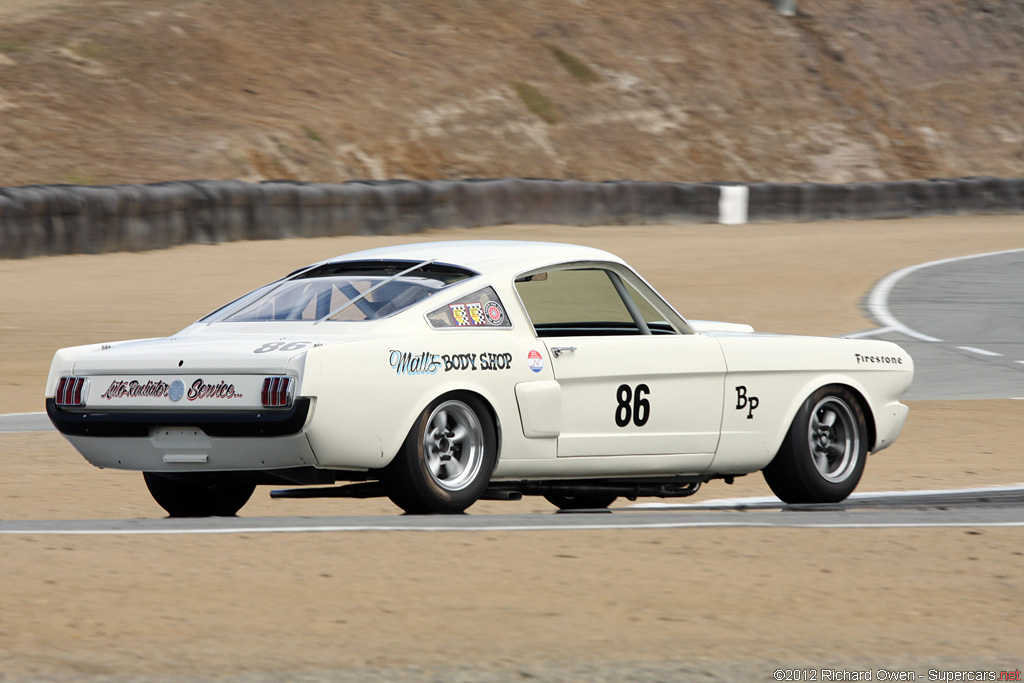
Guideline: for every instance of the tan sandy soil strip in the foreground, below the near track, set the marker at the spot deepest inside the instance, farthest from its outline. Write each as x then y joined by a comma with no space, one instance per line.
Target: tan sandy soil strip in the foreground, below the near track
514,602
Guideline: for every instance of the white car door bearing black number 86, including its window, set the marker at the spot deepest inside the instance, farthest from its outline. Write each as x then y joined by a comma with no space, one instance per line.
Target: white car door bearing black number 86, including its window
634,377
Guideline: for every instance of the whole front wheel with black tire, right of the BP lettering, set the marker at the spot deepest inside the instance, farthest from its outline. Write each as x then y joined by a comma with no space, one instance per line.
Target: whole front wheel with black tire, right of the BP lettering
824,454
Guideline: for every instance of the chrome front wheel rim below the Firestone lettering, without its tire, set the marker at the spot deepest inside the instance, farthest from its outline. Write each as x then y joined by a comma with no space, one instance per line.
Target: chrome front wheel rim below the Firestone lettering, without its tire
834,440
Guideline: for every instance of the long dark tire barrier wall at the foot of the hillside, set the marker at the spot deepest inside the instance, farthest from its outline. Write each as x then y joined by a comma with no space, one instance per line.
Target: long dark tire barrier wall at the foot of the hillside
40,221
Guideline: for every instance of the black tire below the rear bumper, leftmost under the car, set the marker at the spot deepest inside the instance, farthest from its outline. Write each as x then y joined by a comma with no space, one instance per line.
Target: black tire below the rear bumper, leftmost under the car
200,495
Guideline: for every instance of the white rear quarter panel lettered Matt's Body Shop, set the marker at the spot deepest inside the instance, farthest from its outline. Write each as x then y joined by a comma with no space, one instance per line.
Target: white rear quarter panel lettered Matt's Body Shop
369,394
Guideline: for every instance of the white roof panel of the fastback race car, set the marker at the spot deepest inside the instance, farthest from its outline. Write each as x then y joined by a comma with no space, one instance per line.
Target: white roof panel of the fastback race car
485,257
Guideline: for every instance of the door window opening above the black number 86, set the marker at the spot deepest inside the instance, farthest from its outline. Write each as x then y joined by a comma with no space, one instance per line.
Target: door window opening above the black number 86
586,303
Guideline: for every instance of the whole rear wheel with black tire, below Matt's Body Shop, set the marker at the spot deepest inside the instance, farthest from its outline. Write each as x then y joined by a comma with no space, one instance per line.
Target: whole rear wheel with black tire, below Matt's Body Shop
447,460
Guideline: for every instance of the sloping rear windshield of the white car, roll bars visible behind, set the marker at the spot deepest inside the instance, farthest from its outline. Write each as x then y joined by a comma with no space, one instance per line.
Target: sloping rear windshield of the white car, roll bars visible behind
354,291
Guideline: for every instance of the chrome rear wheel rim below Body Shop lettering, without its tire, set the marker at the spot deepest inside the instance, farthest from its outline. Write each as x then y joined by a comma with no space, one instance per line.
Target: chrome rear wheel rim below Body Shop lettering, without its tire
453,446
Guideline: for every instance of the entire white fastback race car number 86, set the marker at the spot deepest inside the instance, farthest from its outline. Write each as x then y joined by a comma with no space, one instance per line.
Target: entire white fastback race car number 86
438,374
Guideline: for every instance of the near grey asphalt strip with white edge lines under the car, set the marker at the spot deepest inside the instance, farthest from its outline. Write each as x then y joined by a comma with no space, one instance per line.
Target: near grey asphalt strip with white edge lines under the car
980,507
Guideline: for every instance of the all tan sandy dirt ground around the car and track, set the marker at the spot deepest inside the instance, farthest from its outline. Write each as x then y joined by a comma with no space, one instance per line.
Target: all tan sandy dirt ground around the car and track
651,606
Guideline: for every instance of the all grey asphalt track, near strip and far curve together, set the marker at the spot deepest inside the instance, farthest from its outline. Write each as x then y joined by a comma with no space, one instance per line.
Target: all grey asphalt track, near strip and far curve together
962,320
